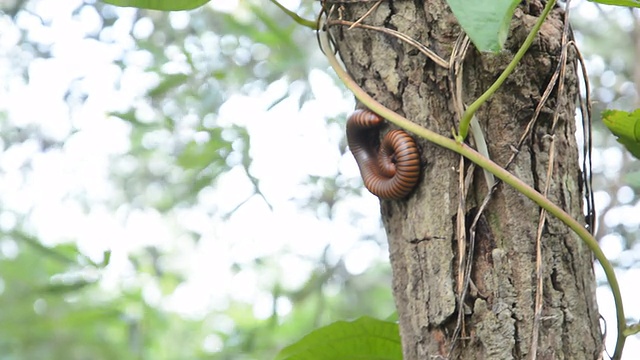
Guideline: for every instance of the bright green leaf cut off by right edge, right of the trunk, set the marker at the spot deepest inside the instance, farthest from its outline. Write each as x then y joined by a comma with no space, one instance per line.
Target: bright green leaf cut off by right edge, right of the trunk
626,126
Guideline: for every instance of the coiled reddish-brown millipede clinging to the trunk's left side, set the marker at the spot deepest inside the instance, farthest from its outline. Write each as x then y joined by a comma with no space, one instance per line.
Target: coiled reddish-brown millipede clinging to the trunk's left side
391,170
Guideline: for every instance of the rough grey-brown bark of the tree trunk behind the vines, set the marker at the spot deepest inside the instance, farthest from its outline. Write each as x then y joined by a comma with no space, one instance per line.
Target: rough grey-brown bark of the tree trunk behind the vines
421,230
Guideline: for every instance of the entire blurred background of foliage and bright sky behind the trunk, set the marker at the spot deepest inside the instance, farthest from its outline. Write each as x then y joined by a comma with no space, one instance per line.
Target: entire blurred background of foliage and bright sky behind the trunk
176,186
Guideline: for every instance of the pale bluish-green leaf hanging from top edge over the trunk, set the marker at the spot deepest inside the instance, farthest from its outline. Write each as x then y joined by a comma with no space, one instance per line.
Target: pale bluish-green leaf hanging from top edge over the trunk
486,22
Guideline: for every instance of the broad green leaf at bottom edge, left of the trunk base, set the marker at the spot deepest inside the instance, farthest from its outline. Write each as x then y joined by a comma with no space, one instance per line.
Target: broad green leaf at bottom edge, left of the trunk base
364,338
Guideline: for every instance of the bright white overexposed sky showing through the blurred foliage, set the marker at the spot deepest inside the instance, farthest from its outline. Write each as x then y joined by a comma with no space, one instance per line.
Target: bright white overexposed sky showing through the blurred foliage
81,167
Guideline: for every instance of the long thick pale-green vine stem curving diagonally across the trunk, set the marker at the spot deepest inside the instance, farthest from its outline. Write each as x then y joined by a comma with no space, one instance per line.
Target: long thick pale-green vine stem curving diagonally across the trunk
469,153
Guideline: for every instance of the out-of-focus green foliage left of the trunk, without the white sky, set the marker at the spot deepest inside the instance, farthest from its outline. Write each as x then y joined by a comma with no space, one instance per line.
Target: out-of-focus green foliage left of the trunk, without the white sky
59,303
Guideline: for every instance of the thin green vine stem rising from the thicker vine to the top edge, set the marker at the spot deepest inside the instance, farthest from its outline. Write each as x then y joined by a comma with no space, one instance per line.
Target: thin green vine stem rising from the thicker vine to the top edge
463,128
